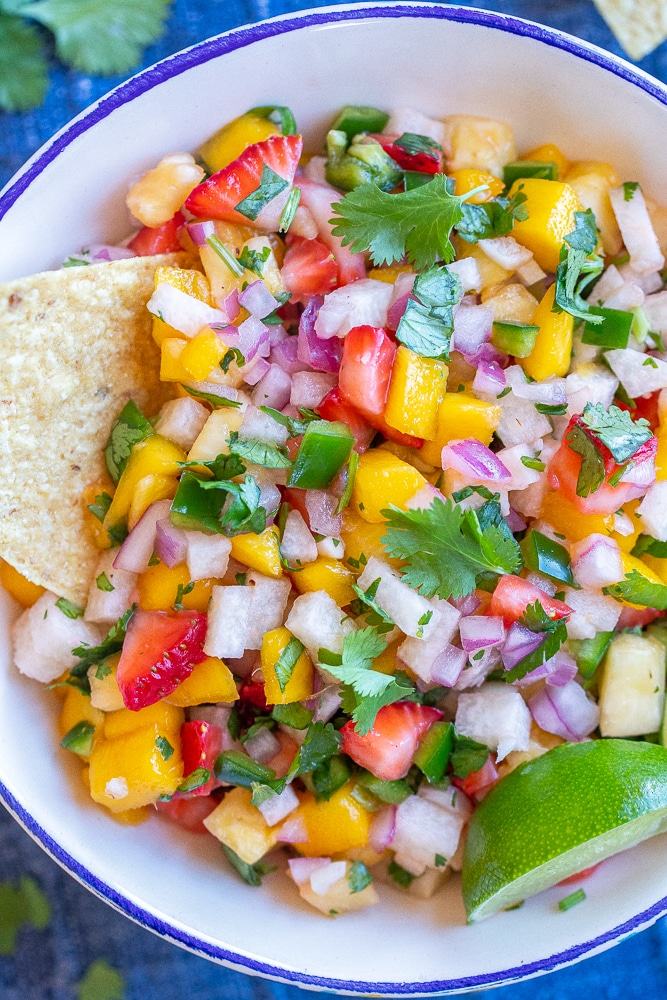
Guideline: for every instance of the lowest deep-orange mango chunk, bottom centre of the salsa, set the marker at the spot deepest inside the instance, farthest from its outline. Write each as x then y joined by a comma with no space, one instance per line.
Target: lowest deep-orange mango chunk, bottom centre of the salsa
333,826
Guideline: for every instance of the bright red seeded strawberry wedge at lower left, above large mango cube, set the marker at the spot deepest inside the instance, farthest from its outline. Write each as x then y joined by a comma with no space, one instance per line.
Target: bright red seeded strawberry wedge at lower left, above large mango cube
159,652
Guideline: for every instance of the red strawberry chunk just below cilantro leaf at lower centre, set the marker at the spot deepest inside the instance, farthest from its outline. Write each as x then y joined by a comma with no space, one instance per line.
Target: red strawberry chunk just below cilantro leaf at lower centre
387,750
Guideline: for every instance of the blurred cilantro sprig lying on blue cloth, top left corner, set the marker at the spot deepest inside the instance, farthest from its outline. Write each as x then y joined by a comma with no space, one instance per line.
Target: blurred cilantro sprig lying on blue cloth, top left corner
93,36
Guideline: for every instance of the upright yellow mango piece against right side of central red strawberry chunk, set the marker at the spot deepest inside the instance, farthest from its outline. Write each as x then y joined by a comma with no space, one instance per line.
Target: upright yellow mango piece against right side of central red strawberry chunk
416,390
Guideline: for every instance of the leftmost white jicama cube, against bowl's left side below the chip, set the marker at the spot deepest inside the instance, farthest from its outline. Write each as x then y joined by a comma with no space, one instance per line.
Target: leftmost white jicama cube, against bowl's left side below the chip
44,636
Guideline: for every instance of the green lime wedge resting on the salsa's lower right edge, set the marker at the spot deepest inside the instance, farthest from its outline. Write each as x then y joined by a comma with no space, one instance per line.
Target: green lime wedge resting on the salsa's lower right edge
558,814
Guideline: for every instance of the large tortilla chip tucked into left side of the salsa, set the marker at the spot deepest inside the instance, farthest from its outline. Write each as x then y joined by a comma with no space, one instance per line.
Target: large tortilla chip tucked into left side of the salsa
75,346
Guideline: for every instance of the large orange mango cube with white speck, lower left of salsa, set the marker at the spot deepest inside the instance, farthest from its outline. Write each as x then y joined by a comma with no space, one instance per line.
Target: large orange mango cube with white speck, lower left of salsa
131,771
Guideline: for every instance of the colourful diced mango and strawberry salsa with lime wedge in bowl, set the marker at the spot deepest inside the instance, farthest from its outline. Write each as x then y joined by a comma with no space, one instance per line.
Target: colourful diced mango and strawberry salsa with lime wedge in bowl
392,560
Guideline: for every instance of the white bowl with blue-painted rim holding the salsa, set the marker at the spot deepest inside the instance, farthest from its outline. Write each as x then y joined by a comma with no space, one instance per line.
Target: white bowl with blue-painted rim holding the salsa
441,59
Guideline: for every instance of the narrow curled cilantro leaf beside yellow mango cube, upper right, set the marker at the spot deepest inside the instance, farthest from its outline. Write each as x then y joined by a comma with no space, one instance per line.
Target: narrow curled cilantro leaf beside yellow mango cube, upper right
579,265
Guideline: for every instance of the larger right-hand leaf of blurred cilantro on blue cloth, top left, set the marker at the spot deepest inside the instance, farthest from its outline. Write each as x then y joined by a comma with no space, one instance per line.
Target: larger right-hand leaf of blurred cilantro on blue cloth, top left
96,36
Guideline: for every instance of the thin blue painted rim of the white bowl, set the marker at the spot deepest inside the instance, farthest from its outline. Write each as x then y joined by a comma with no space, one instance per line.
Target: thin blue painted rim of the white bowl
214,48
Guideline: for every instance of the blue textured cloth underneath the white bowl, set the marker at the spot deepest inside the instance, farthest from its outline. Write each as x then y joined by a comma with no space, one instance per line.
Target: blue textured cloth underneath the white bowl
48,964
